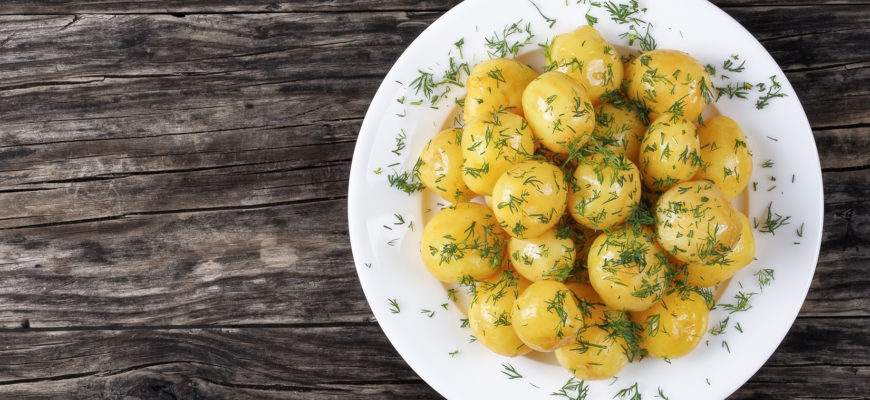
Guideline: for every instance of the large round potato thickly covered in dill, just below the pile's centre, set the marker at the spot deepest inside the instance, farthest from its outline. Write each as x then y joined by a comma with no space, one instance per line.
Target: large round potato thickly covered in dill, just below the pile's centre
627,268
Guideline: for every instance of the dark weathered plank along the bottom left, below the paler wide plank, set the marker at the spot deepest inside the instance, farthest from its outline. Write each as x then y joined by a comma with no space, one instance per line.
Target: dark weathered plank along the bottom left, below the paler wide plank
290,359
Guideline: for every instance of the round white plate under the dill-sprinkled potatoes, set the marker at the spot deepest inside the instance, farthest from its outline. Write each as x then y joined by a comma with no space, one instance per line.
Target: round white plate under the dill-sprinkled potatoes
387,254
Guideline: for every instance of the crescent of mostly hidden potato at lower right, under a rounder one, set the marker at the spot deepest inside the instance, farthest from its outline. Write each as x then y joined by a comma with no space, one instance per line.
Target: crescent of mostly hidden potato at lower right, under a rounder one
740,256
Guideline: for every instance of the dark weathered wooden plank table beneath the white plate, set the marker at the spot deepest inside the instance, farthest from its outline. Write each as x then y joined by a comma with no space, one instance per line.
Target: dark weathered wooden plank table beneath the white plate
173,187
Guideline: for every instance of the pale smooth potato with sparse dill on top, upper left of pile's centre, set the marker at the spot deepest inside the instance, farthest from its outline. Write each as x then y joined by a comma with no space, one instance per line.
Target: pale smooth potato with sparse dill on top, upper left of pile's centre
559,112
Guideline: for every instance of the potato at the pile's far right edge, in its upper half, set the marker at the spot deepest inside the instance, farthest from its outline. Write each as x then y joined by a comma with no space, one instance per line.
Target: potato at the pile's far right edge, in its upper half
727,161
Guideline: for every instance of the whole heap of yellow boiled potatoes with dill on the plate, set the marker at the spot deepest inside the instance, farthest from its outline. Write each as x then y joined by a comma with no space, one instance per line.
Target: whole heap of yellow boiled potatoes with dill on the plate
598,233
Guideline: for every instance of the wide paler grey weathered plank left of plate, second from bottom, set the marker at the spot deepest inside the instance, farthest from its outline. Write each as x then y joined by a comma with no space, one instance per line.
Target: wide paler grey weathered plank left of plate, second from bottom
281,264
